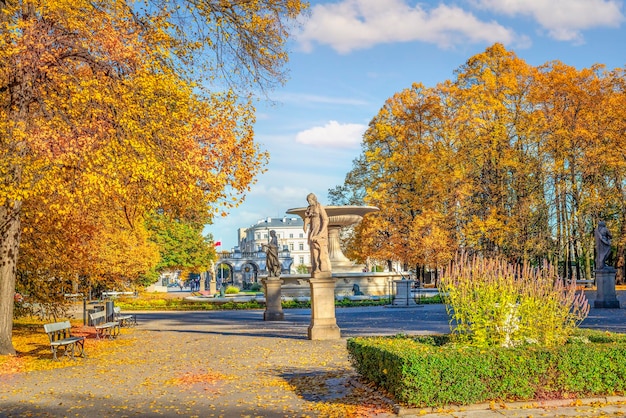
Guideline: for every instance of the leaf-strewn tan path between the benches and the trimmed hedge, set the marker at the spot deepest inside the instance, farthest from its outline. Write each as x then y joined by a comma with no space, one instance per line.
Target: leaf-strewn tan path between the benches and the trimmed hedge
171,367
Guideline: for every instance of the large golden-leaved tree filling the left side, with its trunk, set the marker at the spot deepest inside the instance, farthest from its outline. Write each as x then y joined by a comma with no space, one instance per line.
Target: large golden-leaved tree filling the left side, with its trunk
112,109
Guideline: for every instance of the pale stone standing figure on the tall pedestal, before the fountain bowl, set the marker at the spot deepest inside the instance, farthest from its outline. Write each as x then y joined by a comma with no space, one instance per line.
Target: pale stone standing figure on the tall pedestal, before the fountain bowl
316,220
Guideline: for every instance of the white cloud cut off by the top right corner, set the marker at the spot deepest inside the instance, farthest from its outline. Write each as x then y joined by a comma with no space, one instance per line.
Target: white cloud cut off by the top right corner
563,19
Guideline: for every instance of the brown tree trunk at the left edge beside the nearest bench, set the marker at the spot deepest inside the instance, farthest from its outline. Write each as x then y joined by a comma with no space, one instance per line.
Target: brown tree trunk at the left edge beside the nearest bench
10,233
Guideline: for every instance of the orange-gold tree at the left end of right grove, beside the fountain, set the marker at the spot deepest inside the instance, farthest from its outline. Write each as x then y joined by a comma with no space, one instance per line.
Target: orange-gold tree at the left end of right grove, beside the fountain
400,173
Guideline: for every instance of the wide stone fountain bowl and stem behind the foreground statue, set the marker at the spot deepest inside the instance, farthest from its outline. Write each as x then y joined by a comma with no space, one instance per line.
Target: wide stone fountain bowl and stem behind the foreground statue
339,217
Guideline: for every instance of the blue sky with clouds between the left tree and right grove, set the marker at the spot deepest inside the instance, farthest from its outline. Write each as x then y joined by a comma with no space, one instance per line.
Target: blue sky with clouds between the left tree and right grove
349,56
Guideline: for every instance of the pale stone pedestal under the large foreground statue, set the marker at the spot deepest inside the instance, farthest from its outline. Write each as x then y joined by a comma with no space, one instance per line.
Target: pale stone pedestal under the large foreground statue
323,322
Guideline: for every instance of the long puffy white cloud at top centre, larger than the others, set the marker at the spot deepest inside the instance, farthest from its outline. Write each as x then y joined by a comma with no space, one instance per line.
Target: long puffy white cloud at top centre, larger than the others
357,24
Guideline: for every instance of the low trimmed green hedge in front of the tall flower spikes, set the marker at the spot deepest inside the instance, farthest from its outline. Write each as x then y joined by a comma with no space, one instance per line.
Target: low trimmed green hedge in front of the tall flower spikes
431,371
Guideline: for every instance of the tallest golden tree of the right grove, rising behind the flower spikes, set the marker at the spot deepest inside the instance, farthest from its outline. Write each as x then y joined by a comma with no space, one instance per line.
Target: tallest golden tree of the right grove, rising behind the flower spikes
504,210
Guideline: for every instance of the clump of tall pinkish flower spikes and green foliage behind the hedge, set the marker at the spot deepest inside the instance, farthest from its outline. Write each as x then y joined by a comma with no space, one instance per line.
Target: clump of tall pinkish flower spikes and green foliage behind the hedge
493,303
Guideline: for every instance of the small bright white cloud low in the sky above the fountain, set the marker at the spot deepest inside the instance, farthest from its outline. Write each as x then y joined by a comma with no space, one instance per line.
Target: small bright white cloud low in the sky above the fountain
333,135
